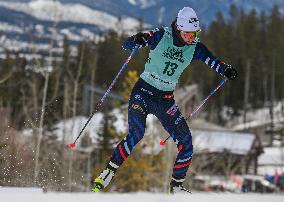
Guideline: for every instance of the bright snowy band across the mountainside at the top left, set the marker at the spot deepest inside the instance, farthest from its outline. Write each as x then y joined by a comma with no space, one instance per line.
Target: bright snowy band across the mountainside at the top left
78,13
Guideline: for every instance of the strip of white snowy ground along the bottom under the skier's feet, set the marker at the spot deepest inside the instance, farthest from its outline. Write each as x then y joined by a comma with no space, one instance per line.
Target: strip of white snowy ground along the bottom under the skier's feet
137,197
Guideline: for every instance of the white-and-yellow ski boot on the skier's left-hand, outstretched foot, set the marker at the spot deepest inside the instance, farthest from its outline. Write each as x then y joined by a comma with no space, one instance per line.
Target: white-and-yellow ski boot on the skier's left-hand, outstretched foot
104,179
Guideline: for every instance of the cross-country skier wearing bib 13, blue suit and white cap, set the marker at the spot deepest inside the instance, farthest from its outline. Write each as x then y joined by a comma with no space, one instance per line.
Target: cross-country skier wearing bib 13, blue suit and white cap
172,50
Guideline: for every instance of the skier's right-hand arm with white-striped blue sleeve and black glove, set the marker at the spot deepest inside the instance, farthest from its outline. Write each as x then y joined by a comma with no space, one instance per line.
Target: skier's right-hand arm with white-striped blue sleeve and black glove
203,54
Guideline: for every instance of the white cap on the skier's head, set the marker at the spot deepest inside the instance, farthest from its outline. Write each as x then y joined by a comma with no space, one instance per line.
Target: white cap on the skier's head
187,20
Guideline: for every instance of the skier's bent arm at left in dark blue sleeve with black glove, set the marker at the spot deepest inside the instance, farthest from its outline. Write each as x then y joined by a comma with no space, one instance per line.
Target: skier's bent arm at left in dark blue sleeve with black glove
143,39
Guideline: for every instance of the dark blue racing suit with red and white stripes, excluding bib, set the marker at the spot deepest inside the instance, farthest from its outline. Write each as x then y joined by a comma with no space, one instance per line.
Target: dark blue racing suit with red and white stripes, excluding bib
146,99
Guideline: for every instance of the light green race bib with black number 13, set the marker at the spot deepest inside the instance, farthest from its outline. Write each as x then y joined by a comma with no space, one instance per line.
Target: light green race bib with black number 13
166,63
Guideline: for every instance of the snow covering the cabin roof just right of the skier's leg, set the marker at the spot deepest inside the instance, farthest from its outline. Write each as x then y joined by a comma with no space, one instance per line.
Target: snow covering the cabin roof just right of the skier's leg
218,141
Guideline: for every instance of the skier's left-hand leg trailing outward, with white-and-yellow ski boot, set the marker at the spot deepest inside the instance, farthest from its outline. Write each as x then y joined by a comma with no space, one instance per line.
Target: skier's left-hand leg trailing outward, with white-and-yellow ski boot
137,113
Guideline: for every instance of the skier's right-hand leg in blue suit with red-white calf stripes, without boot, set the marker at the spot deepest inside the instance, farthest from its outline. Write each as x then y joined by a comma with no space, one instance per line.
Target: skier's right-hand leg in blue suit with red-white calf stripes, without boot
175,124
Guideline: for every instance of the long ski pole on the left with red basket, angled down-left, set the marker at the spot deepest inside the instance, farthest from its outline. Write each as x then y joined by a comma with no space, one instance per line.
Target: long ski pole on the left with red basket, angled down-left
100,102
